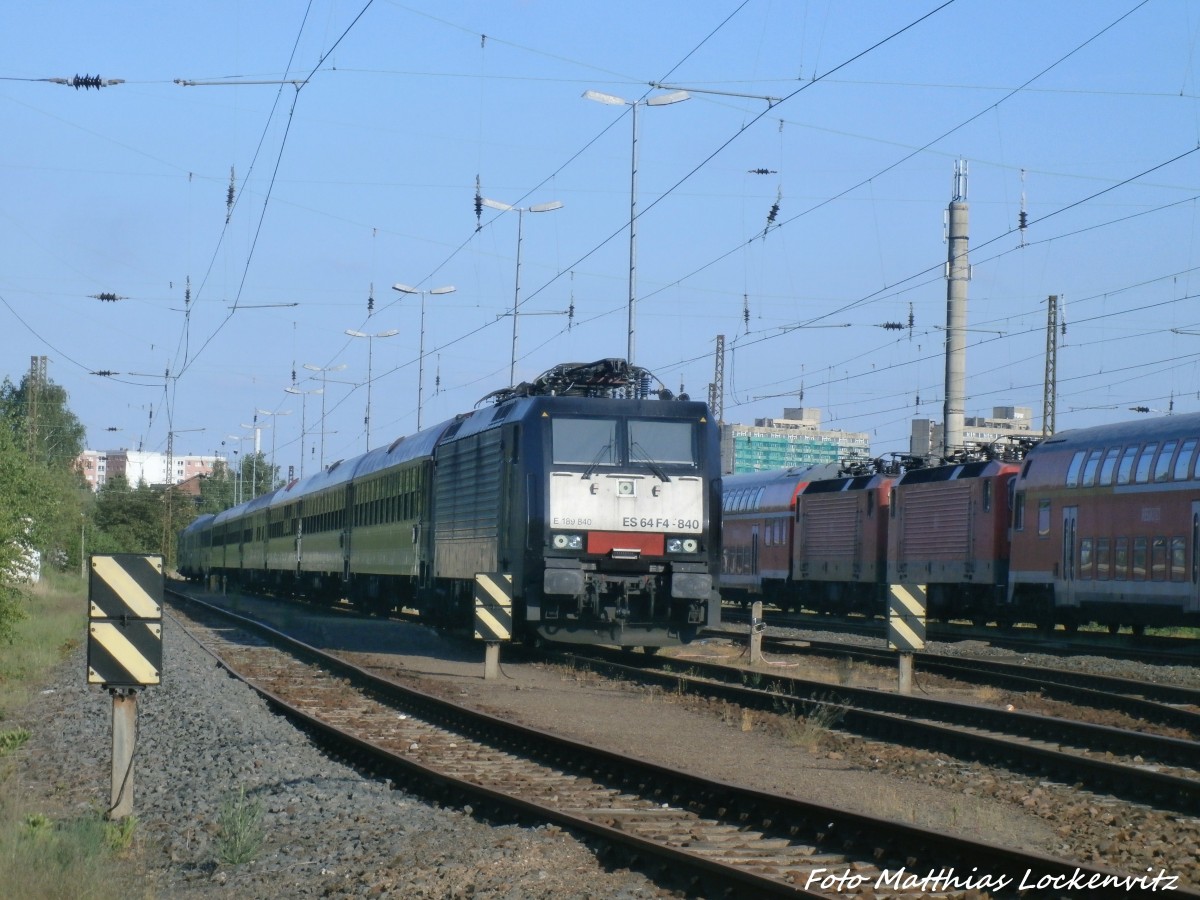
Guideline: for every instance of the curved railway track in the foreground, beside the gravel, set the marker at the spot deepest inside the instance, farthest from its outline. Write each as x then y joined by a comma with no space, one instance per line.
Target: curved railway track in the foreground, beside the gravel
710,838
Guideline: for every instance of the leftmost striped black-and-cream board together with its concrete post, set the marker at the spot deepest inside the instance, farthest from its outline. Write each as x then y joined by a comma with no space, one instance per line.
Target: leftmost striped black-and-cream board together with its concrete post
125,651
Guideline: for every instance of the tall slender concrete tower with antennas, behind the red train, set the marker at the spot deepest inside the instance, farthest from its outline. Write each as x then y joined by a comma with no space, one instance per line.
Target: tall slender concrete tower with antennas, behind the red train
958,274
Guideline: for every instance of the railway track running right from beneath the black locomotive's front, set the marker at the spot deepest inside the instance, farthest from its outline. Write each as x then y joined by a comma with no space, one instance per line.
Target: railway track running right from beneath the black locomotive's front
1130,765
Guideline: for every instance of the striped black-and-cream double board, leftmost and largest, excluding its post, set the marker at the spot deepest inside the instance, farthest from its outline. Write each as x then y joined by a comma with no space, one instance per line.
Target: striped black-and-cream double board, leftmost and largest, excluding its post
125,621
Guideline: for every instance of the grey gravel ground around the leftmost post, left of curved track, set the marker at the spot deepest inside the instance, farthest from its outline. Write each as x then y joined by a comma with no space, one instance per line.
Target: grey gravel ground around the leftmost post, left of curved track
331,832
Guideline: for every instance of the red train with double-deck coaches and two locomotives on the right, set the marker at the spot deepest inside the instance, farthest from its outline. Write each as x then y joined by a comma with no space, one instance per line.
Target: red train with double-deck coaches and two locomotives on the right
1095,525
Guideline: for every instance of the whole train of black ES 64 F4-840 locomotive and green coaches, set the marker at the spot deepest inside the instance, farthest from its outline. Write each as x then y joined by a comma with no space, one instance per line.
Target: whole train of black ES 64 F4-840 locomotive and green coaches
601,505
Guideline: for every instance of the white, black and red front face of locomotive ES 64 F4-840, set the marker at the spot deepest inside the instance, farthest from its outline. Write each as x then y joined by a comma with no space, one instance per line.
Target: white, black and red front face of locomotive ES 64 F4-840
628,541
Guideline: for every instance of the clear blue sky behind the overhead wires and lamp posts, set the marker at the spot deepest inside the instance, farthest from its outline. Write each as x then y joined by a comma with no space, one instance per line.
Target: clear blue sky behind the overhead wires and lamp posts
365,176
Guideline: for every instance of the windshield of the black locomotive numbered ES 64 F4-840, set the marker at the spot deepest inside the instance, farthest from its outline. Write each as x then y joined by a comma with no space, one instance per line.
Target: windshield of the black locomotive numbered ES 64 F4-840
599,442
